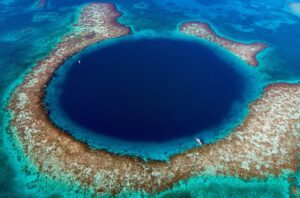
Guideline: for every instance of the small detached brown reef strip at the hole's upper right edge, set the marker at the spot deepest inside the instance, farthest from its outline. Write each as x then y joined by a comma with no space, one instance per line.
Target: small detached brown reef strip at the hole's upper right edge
246,52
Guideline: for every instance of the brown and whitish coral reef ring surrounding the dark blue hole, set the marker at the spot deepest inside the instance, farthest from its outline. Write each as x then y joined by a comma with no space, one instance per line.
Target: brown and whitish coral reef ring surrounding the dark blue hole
266,143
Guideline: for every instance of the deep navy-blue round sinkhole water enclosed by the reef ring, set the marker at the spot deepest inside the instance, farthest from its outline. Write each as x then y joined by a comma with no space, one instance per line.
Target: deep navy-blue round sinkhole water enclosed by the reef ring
149,90
